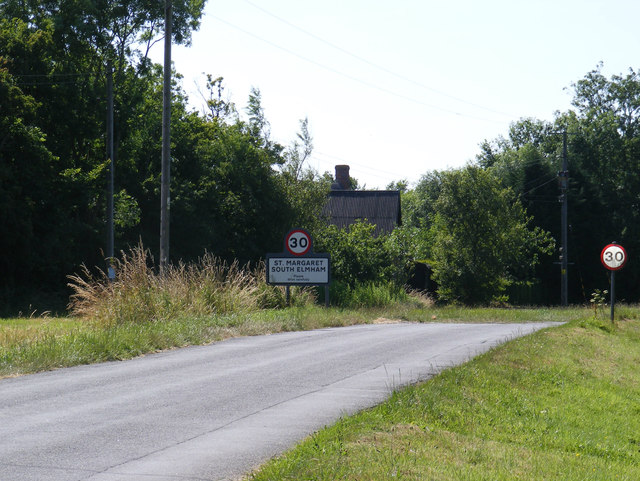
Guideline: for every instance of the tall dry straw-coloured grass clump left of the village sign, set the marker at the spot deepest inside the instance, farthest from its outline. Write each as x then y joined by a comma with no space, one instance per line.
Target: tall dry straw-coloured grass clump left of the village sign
140,293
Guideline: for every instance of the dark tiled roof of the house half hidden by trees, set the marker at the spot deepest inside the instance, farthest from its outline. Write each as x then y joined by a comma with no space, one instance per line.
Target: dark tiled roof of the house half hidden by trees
379,207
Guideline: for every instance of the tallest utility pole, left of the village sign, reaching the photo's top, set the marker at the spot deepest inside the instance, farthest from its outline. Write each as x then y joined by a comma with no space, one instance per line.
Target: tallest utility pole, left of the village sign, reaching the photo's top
165,200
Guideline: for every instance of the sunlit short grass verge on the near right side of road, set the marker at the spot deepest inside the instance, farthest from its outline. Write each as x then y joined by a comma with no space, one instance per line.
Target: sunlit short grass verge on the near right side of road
559,404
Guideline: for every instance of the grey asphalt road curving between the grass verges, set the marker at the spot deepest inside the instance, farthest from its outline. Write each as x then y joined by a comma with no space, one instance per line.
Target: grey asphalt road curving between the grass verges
215,412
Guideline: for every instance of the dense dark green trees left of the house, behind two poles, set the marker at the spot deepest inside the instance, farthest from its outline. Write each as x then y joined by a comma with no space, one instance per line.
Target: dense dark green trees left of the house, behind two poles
234,191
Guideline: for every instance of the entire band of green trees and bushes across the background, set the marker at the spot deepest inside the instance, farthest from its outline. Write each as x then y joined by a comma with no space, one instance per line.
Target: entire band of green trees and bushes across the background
485,230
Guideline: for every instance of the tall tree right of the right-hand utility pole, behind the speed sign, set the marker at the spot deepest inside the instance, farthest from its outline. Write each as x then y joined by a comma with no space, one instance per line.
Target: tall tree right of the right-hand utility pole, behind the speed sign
604,162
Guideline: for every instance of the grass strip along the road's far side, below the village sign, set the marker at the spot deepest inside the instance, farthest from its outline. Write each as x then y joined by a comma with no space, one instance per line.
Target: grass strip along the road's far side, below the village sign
29,345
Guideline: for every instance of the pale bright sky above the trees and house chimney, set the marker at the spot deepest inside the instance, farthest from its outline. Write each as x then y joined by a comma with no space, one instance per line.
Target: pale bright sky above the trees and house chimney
398,89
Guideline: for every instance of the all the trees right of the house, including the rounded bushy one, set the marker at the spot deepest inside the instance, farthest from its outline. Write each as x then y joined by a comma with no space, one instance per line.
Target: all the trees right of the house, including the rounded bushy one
520,171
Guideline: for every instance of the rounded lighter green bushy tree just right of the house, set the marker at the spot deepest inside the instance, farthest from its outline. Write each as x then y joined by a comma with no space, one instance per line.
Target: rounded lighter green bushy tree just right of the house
482,239
